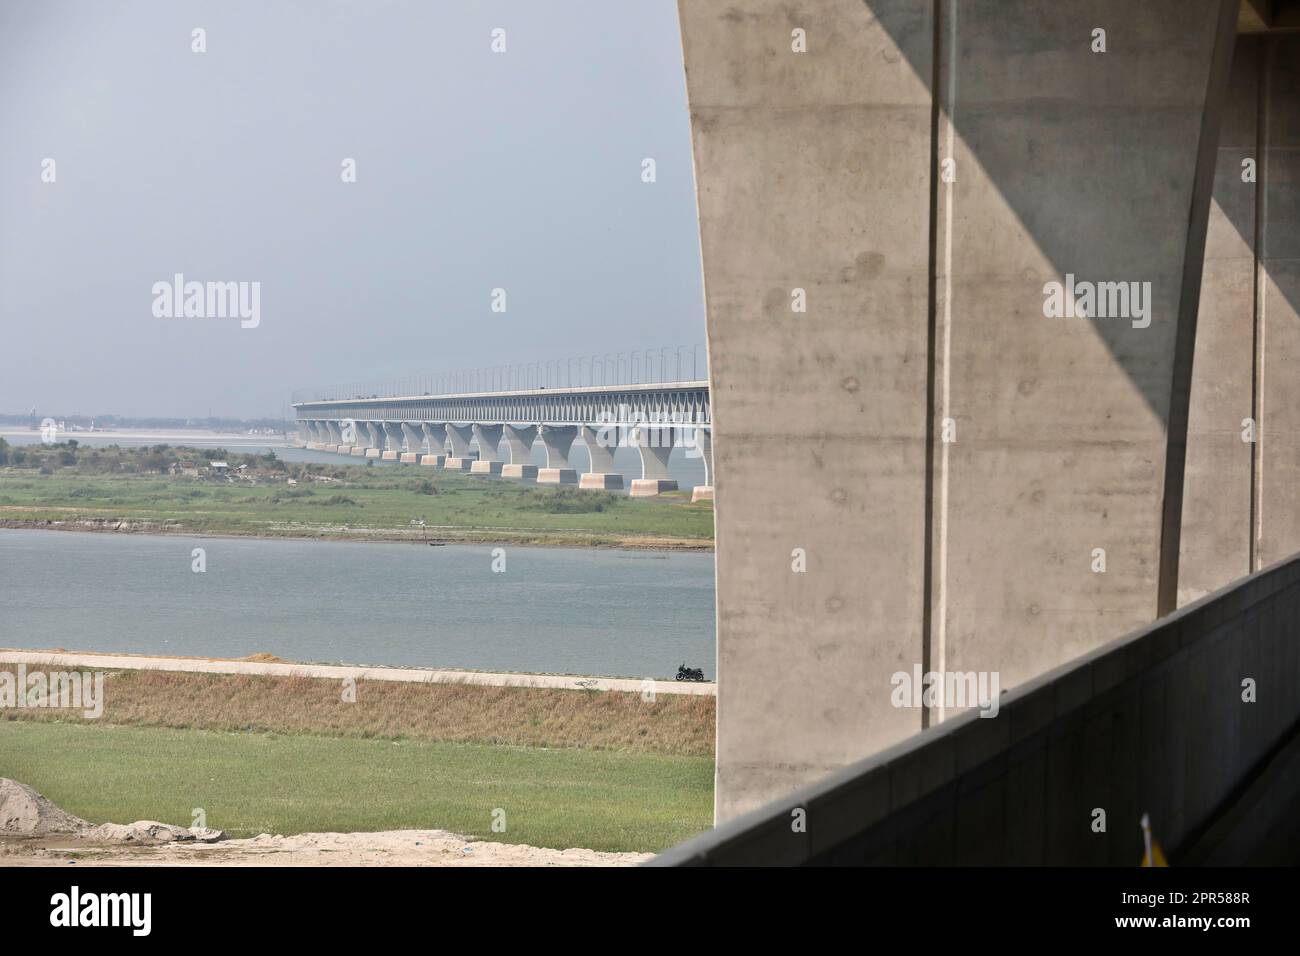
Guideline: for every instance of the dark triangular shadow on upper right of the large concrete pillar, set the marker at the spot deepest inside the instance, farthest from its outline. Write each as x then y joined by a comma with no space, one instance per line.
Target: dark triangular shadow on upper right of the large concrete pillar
1097,166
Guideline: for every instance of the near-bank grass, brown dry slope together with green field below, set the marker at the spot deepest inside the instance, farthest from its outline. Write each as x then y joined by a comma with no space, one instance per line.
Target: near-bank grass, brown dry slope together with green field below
288,755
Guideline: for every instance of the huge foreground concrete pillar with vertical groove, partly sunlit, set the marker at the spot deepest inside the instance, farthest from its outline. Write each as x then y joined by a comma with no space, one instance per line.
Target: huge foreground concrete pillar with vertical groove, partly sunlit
924,461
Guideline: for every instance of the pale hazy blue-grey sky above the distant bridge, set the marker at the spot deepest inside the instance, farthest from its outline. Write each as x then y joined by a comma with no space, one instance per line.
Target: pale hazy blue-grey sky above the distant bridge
475,171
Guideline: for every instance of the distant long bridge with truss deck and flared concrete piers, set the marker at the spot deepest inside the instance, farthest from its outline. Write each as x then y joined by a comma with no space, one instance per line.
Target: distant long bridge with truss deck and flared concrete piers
439,431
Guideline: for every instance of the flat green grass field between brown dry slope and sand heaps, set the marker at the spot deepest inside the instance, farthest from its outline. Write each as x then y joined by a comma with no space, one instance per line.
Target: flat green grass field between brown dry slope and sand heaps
252,784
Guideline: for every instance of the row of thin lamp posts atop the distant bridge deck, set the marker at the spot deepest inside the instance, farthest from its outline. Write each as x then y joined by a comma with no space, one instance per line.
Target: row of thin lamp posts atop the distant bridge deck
668,365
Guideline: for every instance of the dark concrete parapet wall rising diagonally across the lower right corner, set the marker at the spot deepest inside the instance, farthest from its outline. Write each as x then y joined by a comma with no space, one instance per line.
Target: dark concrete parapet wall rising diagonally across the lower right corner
1168,723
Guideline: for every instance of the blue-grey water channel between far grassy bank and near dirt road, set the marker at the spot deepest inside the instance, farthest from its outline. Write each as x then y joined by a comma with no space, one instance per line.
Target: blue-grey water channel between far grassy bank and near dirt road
552,611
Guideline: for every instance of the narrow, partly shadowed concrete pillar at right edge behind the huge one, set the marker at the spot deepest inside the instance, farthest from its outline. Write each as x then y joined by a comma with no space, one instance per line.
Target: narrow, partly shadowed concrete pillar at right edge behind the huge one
1243,444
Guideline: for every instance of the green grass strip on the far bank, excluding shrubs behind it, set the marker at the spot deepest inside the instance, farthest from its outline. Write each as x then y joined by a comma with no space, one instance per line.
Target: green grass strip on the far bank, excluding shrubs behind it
384,500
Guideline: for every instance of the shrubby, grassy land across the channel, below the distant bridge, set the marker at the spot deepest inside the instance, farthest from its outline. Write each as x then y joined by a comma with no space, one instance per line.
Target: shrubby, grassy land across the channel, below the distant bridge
114,488
